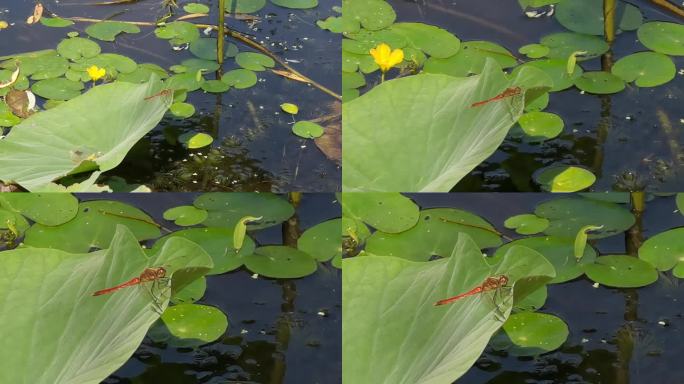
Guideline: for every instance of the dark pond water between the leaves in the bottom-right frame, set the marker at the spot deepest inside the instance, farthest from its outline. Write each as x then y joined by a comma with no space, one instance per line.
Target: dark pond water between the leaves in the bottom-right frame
616,335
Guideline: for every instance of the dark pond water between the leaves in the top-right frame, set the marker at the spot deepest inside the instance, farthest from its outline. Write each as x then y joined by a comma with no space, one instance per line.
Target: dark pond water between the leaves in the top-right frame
637,130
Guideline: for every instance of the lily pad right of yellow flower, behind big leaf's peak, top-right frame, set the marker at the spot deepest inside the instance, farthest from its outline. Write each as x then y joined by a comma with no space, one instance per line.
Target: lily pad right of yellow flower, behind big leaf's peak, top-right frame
470,59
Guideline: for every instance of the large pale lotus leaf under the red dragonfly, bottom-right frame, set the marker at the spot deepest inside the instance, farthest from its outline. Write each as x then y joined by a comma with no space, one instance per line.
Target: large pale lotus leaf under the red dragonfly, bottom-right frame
393,333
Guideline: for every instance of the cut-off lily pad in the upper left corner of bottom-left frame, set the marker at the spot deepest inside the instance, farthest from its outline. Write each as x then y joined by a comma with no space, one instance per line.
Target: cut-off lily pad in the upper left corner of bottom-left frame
43,208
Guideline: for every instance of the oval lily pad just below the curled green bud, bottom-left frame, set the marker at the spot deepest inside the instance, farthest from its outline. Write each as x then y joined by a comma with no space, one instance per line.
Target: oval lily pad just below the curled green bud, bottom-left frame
280,262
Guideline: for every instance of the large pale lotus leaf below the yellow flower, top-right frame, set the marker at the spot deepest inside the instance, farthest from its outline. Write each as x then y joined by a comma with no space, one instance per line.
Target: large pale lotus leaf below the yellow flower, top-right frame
421,133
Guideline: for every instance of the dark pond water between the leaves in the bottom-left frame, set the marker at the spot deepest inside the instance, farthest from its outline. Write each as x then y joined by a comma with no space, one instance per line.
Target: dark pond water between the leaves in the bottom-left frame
280,331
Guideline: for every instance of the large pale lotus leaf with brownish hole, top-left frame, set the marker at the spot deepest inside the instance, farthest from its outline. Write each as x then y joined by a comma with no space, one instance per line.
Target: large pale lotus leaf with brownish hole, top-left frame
88,132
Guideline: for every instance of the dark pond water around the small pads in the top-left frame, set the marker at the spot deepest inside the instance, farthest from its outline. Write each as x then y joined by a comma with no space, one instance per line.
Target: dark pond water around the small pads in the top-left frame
254,147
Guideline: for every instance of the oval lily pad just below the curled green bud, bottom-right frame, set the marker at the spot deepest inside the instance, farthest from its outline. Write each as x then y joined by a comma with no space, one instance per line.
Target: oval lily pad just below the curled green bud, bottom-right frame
621,271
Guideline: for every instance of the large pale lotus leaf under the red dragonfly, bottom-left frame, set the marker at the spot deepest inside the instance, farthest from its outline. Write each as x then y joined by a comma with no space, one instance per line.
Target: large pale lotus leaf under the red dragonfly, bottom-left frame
51,320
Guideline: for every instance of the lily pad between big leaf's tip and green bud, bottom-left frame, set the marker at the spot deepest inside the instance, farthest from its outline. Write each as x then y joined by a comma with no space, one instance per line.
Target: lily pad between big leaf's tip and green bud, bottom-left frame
218,244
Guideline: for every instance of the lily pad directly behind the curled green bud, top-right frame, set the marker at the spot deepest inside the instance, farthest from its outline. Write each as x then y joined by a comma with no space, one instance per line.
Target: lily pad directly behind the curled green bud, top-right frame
562,45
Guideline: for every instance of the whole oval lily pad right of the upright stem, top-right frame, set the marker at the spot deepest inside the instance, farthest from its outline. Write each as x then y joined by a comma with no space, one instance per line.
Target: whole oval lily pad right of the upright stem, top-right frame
645,69
